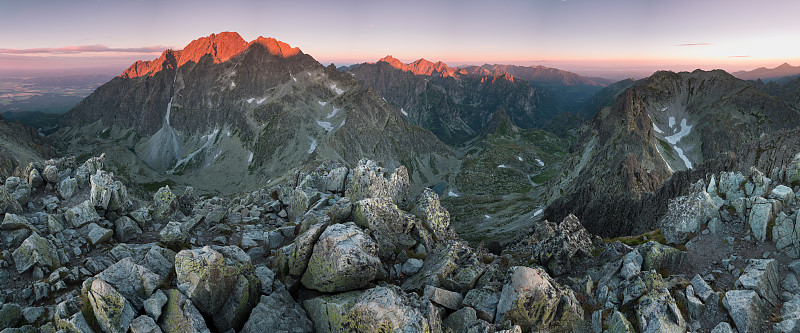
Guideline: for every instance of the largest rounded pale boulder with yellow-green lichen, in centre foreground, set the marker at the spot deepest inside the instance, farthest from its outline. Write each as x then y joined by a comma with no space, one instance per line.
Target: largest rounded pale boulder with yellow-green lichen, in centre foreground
344,258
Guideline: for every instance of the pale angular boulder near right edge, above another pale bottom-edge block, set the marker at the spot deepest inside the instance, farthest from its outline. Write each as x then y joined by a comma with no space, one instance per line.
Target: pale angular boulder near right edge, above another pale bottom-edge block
761,275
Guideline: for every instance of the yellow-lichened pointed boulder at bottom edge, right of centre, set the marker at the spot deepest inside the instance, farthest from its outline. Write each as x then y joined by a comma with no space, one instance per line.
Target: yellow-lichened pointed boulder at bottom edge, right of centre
534,301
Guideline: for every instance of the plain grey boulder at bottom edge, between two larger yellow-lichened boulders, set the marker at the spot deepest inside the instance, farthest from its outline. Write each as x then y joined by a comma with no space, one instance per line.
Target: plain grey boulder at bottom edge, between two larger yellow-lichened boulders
278,312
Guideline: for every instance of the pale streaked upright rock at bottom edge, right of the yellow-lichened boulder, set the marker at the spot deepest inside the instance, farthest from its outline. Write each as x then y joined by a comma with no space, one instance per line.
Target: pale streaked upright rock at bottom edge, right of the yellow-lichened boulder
657,312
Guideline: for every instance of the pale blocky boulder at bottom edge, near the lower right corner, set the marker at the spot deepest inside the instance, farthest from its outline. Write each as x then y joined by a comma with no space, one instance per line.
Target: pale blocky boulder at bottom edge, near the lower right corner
746,309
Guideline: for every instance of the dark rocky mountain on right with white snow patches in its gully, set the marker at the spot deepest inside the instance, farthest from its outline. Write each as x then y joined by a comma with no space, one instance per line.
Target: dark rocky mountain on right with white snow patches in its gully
664,124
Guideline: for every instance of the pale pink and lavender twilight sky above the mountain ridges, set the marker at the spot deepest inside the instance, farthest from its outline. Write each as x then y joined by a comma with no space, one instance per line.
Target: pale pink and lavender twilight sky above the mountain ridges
585,36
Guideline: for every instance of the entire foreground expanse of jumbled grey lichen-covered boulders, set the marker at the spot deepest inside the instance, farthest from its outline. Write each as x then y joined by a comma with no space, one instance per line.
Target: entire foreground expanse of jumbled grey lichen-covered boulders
351,250
